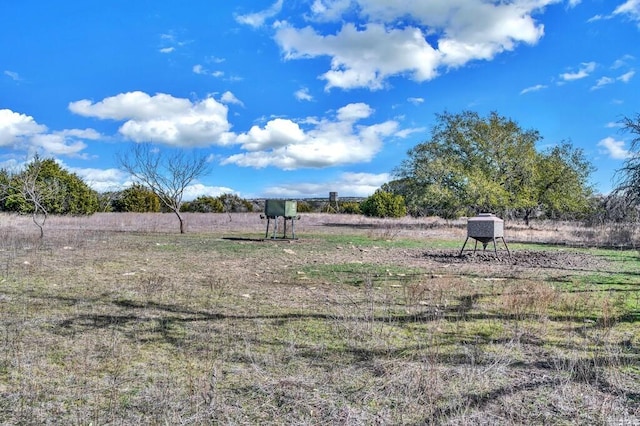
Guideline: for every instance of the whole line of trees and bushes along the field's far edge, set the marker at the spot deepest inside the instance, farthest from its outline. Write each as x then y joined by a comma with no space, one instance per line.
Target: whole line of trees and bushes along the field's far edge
470,164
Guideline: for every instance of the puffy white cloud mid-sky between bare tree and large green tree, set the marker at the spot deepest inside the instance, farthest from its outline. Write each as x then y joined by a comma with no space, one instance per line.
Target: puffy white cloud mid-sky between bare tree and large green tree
340,139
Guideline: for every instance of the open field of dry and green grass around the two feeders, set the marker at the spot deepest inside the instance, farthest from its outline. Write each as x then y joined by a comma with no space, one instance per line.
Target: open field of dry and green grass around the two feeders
119,319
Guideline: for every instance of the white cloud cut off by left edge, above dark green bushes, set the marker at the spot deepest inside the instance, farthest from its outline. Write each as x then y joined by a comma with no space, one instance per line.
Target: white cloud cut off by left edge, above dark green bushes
22,132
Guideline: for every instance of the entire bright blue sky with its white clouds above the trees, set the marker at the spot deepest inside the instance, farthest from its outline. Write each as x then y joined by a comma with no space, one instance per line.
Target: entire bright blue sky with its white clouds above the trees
300,98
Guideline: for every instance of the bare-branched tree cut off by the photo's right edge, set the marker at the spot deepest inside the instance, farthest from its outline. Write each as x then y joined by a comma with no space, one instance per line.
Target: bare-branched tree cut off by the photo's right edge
629,175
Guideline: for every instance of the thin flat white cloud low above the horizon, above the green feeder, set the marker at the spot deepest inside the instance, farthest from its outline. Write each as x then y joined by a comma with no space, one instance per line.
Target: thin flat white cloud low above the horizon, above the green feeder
347,185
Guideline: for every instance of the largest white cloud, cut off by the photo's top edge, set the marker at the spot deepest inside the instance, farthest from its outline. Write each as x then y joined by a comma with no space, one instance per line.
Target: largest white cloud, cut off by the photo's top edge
382,45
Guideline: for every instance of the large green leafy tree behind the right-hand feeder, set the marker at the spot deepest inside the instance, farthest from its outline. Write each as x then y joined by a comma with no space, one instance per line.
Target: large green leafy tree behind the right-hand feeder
473,164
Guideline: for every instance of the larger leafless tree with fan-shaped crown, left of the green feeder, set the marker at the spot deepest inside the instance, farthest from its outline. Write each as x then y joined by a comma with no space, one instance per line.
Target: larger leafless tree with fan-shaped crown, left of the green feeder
167,173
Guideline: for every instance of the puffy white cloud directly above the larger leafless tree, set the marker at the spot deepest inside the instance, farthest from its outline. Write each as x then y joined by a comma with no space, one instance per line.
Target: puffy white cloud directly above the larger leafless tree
162,118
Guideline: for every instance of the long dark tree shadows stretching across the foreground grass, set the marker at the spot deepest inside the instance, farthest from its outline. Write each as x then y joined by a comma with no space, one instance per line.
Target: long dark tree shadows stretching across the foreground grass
453,350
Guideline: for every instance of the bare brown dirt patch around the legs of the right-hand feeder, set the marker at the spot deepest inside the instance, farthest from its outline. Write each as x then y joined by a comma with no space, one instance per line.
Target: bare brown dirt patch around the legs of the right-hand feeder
524,258
